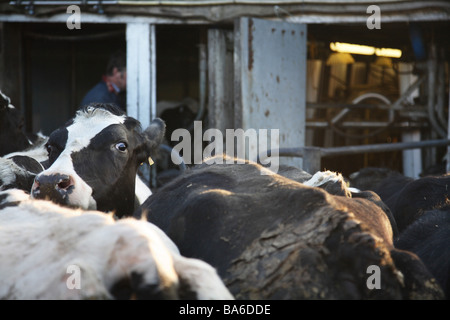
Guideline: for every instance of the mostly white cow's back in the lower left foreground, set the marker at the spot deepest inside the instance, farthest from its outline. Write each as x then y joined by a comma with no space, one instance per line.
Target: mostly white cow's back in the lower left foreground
52,252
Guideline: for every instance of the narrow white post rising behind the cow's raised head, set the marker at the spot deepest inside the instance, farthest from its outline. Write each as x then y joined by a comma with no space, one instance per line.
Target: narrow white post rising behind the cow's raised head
141,72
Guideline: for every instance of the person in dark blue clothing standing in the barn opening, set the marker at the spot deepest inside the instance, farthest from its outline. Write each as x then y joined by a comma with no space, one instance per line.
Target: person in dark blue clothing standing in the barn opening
112,87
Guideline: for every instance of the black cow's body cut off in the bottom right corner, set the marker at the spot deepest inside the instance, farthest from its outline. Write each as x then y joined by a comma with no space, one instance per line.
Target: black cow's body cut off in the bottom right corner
429,238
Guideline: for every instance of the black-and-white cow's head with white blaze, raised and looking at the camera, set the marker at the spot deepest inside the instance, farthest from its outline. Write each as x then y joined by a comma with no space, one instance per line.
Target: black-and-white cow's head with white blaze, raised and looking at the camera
94,159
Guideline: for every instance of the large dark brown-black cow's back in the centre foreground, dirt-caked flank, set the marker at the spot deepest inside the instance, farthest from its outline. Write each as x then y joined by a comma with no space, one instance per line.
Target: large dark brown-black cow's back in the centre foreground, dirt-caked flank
270,237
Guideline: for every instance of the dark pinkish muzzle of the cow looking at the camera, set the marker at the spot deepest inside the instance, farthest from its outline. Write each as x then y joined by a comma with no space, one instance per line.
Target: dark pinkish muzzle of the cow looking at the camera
54,187
